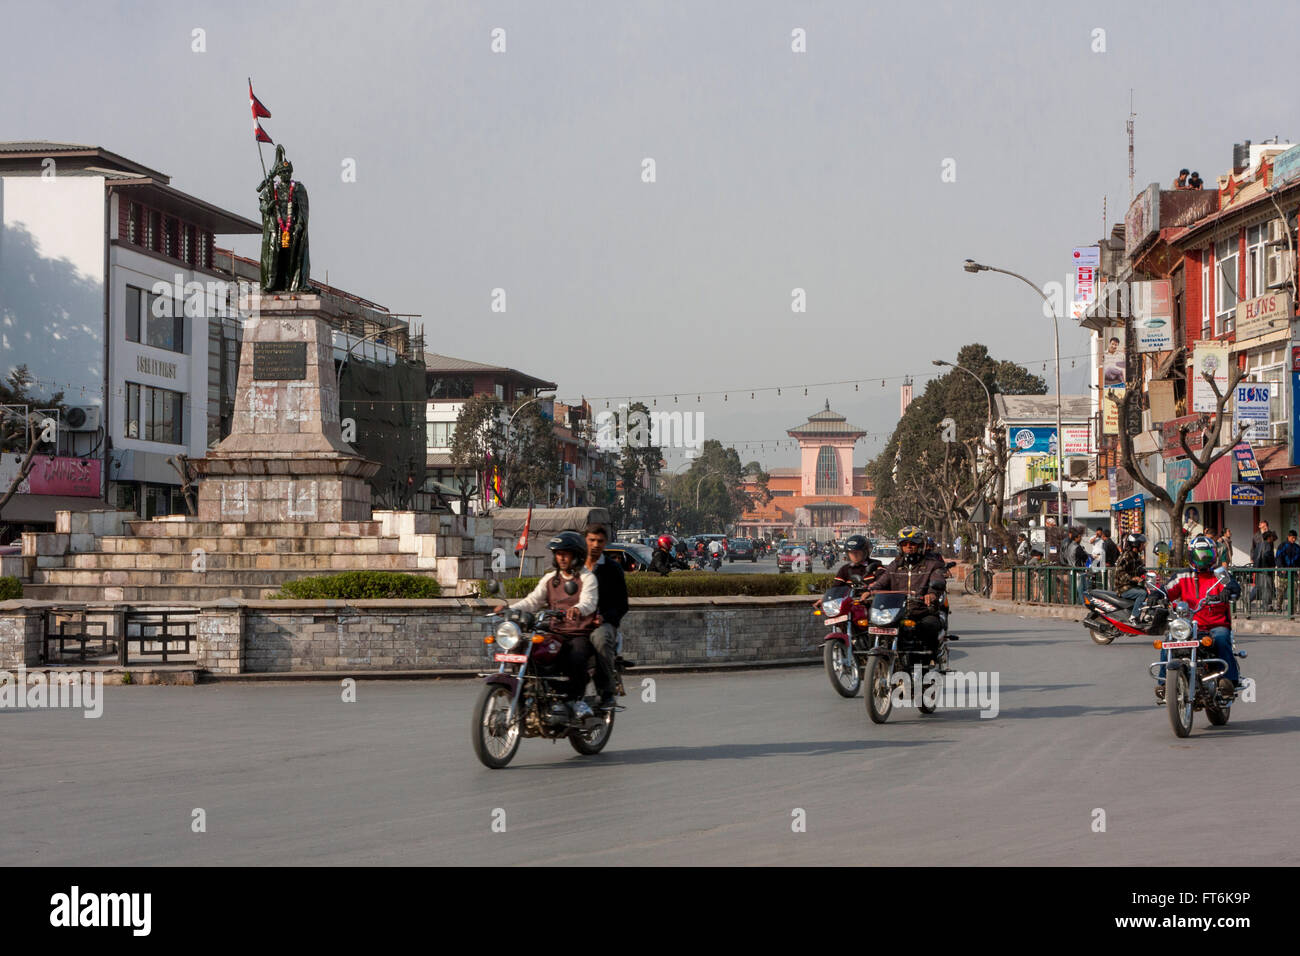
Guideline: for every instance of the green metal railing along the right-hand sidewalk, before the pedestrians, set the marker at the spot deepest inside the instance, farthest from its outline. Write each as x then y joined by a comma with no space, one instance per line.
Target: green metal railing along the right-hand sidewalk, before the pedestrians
1267,592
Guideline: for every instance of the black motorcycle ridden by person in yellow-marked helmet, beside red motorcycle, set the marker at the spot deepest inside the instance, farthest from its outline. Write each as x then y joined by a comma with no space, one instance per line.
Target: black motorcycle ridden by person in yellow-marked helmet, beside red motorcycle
898,650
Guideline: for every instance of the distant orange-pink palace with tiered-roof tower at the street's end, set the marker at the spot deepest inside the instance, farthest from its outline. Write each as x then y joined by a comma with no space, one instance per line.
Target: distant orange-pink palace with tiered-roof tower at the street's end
826,498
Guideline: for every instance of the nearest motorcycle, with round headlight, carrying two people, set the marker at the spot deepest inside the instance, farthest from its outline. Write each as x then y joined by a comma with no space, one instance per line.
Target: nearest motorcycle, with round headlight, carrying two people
526,697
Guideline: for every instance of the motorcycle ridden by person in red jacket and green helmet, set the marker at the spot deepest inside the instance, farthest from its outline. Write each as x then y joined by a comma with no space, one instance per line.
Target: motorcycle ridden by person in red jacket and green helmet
1193,682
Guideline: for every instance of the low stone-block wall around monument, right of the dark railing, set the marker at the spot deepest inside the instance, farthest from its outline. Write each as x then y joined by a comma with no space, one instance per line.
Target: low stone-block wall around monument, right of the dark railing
287,637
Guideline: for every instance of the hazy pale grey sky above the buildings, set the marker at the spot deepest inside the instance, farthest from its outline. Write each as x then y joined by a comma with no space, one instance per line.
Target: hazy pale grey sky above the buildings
864,171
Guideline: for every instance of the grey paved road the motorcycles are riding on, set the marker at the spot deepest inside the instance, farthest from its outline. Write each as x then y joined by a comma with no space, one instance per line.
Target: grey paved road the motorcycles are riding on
709,773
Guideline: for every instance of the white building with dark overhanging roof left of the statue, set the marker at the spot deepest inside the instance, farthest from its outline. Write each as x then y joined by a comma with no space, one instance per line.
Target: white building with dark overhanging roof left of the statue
109,295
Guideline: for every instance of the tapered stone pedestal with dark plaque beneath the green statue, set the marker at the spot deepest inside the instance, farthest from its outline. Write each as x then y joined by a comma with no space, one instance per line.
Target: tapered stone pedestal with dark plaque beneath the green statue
285,460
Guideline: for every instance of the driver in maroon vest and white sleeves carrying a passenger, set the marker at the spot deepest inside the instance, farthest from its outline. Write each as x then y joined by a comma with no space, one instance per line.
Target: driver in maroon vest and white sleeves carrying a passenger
580,609
